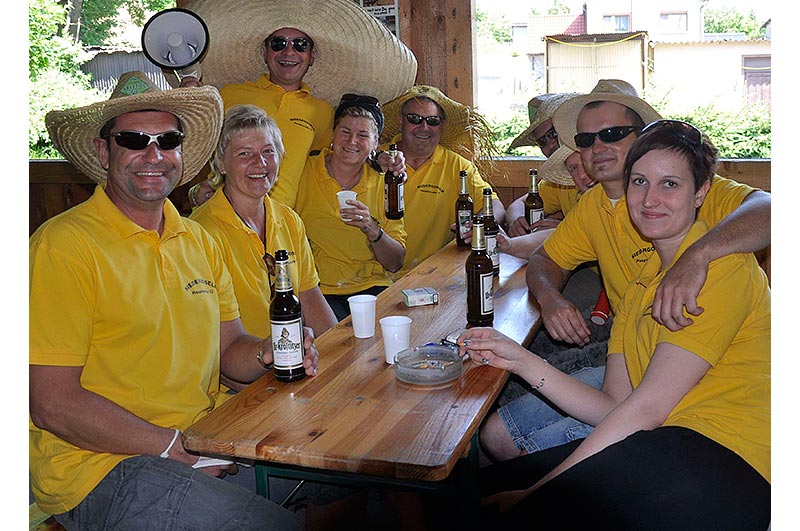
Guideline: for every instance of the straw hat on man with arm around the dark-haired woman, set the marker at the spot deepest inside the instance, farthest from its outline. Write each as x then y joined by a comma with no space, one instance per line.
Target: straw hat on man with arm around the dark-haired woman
565,119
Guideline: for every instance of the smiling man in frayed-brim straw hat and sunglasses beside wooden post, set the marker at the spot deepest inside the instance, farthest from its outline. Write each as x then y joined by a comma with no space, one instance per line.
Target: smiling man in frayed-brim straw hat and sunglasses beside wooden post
433,131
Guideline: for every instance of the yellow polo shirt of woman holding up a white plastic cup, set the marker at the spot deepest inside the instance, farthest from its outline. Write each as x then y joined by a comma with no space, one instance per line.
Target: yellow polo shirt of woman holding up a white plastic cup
344,258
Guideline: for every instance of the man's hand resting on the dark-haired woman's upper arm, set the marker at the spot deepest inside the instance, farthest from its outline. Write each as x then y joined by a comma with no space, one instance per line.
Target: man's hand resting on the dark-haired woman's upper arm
679,288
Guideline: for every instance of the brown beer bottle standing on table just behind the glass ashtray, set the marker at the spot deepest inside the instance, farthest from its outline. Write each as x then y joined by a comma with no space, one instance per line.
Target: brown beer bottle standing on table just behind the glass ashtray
480,286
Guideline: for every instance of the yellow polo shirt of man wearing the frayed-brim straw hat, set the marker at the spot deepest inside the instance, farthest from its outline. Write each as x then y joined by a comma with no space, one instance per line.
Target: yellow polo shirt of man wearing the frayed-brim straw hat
430,197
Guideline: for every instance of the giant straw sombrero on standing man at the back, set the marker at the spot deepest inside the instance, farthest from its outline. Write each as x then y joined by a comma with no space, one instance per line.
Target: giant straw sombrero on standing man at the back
354,52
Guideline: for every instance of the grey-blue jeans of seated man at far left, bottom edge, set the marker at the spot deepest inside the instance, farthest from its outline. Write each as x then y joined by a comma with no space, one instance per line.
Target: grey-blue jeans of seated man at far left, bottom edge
147,492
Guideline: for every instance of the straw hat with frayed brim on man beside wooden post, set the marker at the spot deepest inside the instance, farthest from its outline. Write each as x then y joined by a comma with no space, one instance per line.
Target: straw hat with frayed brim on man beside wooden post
465,131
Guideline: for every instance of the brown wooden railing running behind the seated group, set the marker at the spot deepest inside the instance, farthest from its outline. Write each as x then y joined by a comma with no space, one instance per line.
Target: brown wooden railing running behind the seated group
55,185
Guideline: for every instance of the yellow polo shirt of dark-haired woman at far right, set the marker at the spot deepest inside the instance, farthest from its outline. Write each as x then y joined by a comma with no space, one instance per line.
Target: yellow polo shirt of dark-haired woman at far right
731,403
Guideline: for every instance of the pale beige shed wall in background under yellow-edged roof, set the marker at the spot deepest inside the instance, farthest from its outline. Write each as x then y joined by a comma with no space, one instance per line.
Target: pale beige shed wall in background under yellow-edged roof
577,66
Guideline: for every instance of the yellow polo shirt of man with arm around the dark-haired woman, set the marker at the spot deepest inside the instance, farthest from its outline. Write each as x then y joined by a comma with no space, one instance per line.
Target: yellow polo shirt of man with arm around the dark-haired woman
597,230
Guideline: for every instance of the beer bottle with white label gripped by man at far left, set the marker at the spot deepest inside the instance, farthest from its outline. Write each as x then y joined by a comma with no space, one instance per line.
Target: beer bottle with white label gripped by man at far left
286,321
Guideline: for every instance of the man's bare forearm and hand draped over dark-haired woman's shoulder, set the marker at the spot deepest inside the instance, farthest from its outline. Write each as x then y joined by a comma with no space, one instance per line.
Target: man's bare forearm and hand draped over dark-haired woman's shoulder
745,230
